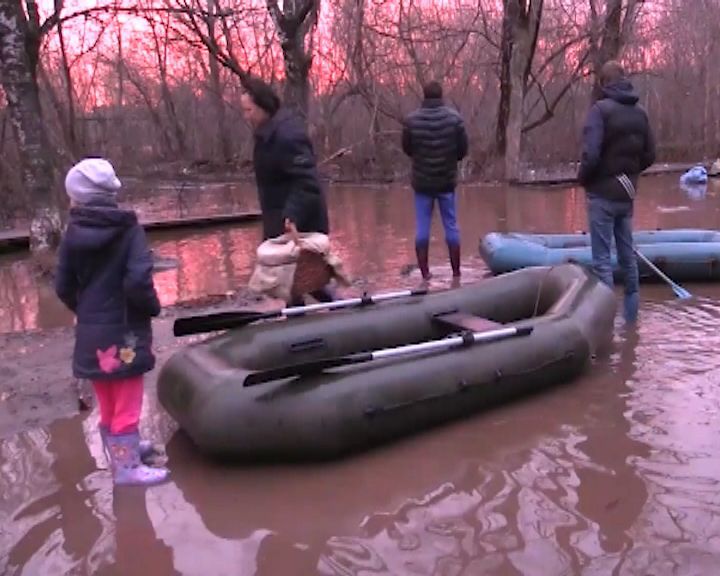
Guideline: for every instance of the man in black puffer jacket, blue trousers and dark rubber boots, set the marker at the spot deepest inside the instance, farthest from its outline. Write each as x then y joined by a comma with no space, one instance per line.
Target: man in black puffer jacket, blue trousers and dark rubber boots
434,137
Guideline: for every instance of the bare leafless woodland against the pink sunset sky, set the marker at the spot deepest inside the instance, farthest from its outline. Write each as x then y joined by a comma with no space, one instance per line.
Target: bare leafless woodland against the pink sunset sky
520,72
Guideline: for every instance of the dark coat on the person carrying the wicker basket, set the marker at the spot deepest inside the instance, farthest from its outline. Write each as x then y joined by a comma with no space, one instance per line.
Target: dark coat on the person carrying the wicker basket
287,179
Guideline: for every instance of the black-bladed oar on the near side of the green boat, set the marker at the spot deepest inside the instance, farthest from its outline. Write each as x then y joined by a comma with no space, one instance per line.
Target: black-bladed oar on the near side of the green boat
446,344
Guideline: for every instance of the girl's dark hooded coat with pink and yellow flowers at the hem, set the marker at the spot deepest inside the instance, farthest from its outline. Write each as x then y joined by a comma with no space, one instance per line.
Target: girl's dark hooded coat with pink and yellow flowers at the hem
104,275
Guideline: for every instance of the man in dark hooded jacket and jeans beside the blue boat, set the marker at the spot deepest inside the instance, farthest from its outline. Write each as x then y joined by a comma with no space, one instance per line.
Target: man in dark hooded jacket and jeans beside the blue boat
618,144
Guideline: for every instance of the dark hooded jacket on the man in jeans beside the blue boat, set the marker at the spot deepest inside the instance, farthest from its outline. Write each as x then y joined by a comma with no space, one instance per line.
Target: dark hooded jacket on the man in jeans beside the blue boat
617,139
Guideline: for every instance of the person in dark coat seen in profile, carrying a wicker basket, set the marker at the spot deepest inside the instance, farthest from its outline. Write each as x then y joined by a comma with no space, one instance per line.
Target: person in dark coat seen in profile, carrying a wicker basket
291,198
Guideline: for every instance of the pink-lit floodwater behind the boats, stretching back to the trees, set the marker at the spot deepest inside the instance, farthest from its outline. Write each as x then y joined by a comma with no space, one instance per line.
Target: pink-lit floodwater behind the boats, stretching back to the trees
372,230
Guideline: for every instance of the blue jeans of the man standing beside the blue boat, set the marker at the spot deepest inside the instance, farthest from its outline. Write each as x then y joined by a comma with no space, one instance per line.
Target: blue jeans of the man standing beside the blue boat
608,218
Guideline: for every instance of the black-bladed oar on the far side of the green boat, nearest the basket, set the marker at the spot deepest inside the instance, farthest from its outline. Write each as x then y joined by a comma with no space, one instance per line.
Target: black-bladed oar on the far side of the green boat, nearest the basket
234,319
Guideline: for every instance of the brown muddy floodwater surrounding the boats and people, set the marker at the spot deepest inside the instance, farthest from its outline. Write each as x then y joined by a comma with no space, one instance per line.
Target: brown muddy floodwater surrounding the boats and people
617,472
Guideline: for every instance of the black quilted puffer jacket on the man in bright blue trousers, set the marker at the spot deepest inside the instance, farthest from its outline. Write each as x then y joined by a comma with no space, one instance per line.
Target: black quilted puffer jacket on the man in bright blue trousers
434,137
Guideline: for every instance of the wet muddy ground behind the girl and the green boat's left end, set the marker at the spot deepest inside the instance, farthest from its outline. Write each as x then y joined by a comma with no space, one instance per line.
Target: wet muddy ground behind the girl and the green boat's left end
36,381
